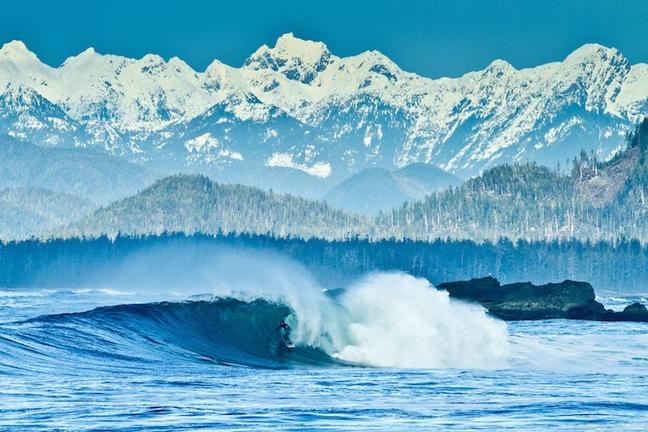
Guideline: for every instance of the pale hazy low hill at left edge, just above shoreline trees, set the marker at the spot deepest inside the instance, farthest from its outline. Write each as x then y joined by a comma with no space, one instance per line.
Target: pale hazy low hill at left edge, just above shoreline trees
27,212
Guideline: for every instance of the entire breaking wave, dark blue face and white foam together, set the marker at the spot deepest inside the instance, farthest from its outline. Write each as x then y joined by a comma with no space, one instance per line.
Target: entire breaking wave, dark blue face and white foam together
390,320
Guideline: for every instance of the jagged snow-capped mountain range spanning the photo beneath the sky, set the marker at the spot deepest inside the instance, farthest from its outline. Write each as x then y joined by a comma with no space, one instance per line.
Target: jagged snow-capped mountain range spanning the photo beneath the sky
296,105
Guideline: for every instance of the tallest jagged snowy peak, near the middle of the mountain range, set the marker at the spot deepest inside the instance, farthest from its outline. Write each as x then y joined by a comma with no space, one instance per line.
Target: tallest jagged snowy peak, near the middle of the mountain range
297,59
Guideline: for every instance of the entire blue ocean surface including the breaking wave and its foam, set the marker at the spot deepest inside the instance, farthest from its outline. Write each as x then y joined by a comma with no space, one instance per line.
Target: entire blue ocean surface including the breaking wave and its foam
389,353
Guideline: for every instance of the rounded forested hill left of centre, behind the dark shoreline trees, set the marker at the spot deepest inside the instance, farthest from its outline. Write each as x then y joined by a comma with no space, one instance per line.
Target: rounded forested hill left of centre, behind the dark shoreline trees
193,203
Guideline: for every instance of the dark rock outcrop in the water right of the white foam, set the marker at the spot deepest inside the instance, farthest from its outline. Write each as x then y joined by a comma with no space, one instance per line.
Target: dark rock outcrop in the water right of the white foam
526,301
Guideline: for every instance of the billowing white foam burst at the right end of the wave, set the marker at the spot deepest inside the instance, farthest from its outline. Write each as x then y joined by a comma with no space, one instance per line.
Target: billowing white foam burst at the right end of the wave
396,320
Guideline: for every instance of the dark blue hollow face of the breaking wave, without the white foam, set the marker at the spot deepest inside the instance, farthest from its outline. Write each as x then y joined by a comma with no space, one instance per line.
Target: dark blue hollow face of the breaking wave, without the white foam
227,331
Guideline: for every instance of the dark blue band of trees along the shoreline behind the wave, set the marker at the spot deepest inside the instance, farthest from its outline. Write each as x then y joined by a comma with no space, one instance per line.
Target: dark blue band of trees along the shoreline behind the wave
621,266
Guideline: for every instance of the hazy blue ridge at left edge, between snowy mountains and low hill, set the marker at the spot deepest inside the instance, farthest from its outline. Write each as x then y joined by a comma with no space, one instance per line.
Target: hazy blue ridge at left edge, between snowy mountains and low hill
89,174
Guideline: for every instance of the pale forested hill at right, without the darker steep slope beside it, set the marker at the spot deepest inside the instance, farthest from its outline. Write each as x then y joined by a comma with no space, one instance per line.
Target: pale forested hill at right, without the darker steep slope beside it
516,201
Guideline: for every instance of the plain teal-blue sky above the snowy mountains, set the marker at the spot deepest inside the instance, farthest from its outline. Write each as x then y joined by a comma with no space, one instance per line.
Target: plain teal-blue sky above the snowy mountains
432,38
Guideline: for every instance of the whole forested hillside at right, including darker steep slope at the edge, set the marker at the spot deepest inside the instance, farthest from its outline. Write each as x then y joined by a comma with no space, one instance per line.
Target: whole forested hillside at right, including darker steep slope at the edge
596,201
